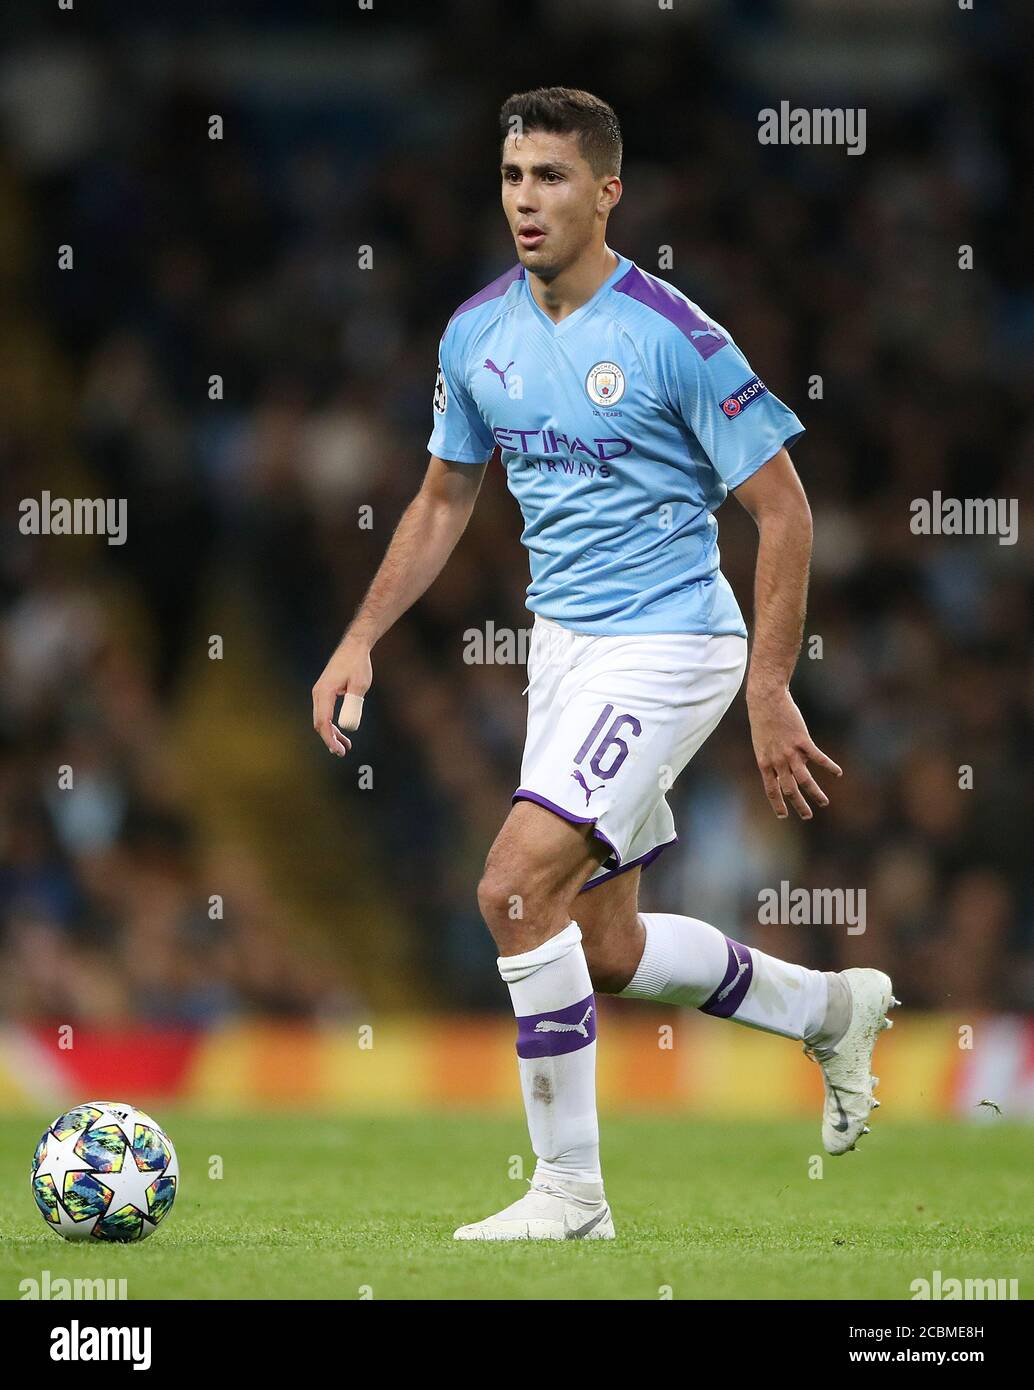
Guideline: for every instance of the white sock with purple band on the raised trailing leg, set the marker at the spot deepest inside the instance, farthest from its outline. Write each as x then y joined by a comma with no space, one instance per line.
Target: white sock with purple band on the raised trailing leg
690,963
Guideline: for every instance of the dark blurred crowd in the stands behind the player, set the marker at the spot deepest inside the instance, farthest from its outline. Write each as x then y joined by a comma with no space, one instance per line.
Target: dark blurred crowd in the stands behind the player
211,860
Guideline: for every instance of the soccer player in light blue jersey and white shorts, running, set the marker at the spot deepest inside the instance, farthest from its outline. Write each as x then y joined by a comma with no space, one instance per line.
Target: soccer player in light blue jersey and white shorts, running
623,416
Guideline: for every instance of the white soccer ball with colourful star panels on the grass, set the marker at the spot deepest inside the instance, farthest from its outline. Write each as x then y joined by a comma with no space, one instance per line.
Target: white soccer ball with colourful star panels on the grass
105,1171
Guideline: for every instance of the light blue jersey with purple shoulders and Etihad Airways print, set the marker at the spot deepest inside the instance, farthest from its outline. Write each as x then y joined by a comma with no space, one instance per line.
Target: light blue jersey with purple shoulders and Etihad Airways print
622,430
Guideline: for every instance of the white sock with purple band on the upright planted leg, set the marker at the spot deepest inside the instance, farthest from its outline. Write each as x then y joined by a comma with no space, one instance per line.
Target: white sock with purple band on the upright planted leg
557,1054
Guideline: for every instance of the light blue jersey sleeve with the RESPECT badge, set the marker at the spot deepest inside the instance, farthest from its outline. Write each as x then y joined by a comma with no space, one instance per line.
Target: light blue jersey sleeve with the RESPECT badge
735,416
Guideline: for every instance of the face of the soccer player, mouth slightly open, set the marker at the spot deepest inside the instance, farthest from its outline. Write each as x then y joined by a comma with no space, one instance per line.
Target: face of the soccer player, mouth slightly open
555,205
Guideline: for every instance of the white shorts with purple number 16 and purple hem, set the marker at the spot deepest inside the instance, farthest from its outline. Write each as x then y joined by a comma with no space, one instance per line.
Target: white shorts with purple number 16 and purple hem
614,721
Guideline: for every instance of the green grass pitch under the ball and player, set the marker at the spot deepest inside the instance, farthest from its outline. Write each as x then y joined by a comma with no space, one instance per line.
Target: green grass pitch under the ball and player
344,1207
